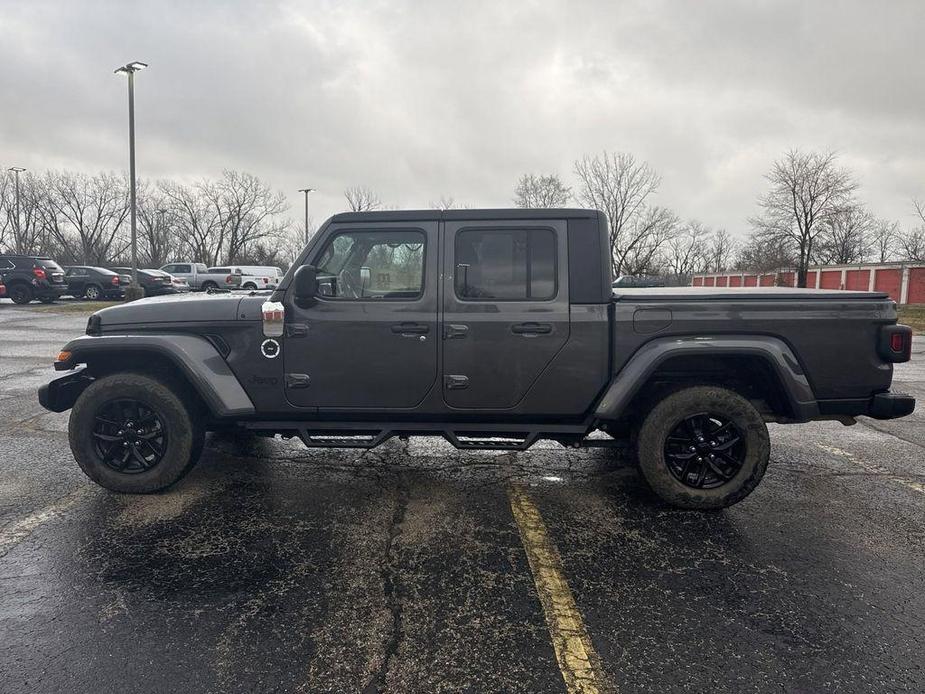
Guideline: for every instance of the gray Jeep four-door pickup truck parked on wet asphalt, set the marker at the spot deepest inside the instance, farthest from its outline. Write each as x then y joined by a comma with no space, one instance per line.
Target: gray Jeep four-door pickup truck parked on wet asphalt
491,328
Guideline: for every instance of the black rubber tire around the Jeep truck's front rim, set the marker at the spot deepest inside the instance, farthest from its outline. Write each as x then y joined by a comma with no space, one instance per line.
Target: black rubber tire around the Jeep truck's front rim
185,436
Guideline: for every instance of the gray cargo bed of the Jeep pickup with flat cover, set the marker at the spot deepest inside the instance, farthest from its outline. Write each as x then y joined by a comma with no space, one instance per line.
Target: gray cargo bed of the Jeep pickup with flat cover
832,333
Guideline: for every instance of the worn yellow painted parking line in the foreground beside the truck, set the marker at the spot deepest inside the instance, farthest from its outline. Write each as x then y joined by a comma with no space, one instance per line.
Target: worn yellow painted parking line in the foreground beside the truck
577,660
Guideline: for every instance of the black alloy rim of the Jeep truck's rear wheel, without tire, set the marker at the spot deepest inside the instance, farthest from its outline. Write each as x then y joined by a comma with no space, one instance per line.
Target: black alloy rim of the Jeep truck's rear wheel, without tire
705,450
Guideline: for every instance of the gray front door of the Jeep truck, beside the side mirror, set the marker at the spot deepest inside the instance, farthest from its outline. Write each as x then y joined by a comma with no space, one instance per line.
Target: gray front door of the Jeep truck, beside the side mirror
369,339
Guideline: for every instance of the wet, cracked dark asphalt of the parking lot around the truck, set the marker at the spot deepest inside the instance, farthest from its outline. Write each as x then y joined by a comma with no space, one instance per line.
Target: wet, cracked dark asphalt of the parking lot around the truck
416,567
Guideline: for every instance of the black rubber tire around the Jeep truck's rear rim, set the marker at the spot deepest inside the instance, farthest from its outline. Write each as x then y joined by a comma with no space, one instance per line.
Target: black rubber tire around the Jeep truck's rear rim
668,413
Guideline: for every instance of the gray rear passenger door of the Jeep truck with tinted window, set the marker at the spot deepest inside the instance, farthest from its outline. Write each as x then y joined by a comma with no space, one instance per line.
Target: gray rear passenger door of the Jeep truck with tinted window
506,309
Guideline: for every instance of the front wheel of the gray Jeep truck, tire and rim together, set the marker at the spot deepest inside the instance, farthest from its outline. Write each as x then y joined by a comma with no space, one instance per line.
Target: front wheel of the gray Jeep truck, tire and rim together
133,433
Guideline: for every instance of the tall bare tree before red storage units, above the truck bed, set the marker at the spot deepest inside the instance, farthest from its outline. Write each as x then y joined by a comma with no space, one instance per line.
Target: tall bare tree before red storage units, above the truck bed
807,190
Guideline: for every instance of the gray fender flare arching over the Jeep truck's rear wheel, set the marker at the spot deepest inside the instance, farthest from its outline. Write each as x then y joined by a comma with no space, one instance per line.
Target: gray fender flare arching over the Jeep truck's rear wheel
627,382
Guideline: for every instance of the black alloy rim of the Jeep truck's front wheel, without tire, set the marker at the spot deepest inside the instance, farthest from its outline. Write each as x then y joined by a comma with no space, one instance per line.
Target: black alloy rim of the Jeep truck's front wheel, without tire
129,436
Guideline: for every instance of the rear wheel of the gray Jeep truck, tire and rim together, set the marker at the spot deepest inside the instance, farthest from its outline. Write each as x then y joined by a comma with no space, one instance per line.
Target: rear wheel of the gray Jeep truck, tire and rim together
703,447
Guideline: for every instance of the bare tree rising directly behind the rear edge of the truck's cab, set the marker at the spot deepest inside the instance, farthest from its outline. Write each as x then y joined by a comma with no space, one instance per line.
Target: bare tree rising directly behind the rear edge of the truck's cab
620,186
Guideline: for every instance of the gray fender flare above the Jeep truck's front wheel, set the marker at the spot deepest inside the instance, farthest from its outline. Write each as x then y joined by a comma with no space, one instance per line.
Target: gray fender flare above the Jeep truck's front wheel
193,356
